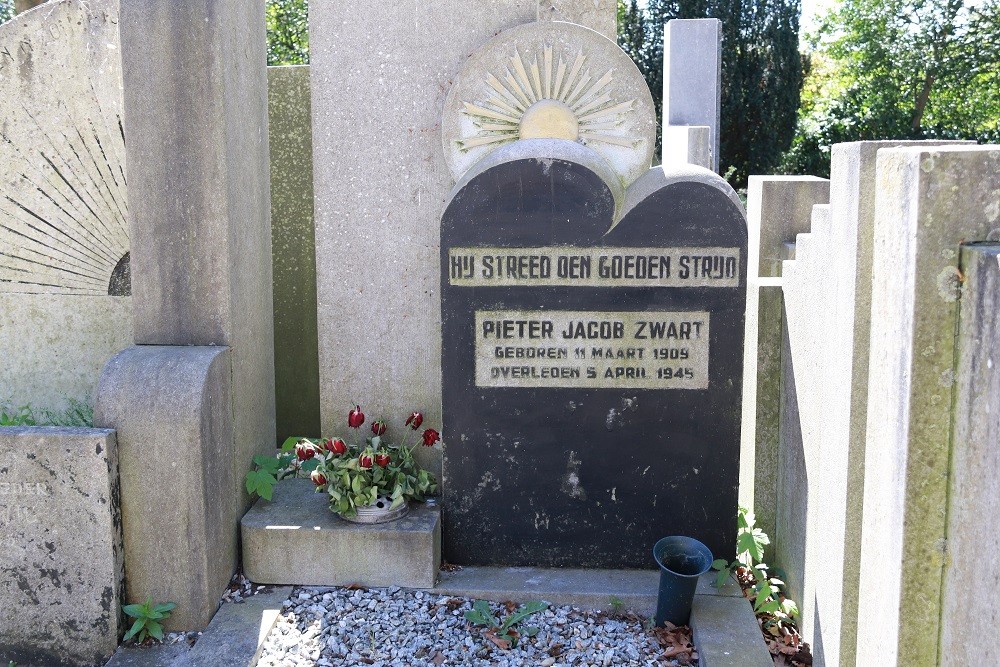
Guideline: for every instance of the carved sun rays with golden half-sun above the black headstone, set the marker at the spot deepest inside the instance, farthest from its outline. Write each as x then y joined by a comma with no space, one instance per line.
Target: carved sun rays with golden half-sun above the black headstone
546,99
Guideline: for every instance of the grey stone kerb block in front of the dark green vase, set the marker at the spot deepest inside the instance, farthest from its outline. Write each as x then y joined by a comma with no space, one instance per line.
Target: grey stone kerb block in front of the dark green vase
726,633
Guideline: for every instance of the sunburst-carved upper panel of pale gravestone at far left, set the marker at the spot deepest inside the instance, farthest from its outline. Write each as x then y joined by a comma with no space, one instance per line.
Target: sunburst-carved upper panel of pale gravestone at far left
63,203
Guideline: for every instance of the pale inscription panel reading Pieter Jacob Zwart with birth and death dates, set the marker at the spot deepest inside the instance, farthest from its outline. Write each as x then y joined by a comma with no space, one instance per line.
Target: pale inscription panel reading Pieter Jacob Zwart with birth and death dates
587,349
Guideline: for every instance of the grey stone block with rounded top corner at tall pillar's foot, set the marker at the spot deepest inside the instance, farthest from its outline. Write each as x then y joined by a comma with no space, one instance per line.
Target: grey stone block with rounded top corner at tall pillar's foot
171,409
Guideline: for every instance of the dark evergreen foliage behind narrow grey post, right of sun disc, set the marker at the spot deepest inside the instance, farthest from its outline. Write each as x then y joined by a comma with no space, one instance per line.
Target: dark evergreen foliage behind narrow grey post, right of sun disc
761,71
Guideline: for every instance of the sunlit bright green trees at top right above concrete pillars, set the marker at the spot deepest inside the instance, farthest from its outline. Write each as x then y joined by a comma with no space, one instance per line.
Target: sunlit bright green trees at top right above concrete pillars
899,69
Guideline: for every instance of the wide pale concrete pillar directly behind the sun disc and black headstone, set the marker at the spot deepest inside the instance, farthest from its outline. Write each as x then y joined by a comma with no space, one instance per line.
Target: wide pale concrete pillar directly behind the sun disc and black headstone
381,182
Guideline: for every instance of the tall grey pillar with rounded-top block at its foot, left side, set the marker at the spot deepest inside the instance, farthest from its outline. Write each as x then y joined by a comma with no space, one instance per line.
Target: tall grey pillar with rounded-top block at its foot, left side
192,413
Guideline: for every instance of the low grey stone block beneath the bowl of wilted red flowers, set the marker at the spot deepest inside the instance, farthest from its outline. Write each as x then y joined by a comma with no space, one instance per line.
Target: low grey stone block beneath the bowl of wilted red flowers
296,539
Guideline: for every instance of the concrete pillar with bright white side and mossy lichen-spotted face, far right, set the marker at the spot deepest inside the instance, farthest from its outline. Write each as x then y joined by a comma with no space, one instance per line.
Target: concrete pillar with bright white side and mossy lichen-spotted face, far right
929,201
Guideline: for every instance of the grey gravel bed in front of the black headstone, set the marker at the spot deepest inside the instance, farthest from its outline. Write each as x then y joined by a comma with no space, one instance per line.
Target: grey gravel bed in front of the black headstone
390,627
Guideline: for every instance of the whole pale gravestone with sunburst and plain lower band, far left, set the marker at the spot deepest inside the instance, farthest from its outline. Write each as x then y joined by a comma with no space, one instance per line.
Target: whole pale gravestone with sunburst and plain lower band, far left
64,242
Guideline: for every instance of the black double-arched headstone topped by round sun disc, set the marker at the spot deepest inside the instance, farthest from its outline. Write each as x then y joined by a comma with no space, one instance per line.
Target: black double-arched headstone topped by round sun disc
592,316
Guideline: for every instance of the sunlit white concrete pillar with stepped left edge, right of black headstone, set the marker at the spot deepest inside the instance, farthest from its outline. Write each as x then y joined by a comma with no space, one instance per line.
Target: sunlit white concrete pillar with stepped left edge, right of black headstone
828,301
